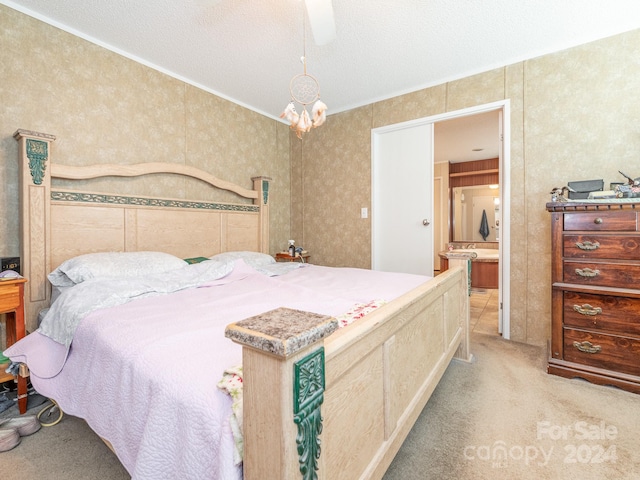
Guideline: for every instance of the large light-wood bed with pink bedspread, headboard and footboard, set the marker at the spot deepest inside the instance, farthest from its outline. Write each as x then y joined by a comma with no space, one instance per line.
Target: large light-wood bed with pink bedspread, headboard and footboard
318,401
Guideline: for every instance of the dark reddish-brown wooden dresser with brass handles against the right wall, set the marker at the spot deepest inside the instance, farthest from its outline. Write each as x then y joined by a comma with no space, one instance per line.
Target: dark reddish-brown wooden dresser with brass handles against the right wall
595,326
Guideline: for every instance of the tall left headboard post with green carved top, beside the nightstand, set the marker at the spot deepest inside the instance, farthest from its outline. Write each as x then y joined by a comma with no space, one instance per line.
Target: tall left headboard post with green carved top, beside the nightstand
35,197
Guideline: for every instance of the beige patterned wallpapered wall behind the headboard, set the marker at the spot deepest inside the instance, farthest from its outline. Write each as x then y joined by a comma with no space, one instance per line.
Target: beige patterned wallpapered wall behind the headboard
105,108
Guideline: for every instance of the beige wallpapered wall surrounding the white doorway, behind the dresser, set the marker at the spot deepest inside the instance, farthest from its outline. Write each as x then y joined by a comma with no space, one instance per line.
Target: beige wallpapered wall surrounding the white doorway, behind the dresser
574,115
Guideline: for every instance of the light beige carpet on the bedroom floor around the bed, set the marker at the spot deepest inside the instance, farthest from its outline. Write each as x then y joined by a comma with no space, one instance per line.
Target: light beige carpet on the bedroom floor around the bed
501,417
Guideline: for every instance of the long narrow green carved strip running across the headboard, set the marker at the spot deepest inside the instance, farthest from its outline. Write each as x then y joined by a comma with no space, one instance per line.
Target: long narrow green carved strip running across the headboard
148,202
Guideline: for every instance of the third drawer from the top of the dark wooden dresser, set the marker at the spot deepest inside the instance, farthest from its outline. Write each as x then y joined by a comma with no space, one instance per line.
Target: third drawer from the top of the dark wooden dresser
617,275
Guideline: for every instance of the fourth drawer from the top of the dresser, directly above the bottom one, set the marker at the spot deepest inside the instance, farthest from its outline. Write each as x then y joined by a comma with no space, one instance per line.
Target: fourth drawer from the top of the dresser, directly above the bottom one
608,313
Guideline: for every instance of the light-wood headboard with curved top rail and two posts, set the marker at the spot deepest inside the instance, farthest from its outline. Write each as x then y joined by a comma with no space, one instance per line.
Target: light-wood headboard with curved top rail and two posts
60,223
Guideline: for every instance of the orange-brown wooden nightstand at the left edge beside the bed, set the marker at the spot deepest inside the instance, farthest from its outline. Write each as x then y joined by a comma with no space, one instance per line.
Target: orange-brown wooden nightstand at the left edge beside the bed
12,305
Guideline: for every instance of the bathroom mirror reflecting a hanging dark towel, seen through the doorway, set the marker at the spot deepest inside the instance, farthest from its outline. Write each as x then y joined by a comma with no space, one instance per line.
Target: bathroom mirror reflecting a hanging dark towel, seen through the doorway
468,207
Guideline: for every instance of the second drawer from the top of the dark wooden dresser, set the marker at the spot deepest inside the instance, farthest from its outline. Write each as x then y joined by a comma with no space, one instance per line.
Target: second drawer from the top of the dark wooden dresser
602,246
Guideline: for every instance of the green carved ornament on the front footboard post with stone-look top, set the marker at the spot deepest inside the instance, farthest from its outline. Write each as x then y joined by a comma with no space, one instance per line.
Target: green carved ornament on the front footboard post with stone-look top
308,395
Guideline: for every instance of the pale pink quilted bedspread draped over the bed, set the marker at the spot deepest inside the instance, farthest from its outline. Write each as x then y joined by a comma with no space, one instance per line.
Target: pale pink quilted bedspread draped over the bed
144,374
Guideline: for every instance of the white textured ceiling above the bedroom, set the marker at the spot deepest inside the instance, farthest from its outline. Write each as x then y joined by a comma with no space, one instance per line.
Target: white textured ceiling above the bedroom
248,50
